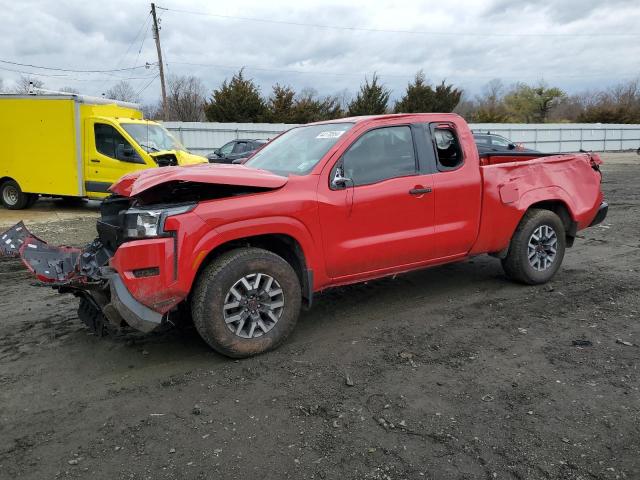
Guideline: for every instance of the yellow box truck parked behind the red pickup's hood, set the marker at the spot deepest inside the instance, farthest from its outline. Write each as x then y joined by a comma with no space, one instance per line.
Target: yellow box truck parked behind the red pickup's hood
64,145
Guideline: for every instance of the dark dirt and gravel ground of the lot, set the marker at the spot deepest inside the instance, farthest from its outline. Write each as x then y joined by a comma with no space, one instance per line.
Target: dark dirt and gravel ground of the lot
457,373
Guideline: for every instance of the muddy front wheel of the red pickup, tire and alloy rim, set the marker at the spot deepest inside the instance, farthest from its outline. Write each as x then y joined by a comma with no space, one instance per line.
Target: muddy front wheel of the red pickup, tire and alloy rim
246,302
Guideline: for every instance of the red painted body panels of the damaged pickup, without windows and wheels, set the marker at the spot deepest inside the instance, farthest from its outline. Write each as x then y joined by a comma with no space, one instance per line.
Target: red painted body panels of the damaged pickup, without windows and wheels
357,233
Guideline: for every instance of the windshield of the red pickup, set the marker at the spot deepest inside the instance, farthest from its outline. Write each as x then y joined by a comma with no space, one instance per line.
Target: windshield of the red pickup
298,150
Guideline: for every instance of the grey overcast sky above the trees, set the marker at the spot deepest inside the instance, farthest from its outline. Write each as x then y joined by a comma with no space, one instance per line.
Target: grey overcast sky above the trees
573,44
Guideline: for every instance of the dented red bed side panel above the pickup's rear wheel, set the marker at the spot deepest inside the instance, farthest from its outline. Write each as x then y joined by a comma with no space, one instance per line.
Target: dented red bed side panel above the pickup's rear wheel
511,188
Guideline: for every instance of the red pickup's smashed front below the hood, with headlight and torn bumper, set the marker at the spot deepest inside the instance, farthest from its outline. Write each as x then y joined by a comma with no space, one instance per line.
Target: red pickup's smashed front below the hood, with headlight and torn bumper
126,276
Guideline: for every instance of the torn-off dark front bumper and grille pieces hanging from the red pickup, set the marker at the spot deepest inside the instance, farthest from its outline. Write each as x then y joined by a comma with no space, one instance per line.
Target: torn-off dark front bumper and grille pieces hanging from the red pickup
83,272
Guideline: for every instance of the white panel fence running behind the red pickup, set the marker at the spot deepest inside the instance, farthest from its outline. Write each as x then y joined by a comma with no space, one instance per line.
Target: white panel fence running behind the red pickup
203,137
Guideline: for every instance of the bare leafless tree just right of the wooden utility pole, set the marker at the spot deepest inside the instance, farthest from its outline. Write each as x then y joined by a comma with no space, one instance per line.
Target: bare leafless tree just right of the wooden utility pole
186,98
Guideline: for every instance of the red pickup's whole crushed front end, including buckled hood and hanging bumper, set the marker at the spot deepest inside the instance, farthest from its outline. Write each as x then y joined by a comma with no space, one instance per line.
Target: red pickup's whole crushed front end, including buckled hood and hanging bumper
140,268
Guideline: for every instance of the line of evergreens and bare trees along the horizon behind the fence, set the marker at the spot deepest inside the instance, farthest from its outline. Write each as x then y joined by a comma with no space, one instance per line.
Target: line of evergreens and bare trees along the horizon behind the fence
239,99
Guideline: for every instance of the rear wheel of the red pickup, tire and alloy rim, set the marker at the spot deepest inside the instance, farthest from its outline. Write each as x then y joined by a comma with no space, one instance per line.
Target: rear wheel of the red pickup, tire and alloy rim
537,248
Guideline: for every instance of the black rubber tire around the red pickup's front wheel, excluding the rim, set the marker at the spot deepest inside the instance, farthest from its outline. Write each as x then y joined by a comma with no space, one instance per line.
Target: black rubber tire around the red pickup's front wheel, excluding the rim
215,283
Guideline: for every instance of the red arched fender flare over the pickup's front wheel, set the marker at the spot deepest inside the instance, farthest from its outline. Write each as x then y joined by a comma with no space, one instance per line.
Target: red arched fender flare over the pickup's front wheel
276,225
